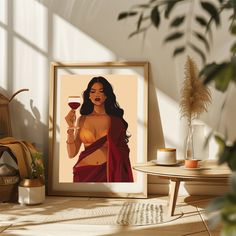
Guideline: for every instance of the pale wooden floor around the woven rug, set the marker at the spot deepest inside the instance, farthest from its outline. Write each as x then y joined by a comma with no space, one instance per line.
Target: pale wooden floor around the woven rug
193,222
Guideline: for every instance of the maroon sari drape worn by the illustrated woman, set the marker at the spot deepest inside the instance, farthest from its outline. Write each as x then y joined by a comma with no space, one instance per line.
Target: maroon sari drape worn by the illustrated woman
117,168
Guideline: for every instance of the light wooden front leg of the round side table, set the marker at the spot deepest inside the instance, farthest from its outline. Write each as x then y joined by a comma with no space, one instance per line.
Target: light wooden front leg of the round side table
173,194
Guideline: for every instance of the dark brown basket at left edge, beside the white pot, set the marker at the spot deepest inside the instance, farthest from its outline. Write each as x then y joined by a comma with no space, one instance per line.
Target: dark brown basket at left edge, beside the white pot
9,188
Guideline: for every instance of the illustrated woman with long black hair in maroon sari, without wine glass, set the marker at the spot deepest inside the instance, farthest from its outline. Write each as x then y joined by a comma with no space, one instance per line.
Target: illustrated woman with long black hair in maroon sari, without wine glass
102,130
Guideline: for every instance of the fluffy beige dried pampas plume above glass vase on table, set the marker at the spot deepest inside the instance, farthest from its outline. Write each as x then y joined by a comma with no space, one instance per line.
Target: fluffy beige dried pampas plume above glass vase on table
195,97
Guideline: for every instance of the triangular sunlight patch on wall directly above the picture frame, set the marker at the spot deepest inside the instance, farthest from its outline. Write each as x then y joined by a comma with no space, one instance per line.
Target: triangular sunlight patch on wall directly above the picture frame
70,44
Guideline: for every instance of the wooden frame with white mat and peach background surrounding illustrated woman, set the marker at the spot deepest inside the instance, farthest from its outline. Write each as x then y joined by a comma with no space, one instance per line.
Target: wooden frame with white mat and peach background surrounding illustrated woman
130,84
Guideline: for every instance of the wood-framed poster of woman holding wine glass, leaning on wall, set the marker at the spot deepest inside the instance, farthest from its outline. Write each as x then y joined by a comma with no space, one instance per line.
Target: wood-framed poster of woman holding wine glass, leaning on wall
98,129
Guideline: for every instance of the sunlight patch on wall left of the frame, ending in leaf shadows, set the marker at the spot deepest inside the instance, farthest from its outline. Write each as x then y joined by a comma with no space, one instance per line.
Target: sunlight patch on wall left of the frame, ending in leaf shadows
30,71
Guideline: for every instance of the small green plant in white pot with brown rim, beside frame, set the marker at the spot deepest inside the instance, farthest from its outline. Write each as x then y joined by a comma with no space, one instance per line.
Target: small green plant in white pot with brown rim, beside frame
32,190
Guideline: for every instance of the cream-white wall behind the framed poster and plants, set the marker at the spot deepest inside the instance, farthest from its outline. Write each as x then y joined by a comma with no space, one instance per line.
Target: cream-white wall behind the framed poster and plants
34,33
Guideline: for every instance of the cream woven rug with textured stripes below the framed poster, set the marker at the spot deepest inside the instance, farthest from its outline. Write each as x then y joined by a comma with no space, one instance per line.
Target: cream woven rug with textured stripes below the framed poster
95,212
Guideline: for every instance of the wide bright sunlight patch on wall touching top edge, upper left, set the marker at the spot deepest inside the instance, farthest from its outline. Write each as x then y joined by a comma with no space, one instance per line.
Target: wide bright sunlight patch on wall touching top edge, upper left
31,21
